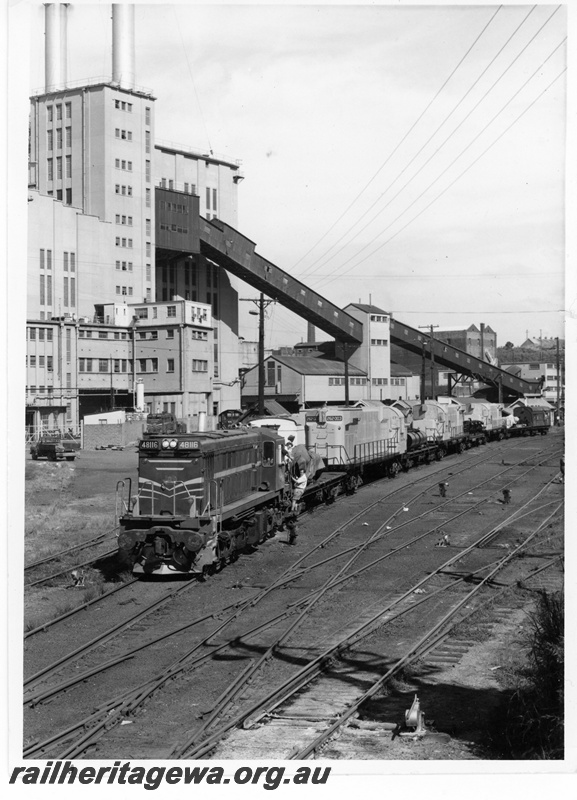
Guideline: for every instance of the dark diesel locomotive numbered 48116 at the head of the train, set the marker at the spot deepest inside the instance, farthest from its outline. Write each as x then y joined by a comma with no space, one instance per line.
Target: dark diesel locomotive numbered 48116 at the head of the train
202,499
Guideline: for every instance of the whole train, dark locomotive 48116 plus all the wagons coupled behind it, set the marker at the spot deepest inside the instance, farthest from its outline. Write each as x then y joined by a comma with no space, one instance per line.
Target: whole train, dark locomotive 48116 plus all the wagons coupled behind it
205,497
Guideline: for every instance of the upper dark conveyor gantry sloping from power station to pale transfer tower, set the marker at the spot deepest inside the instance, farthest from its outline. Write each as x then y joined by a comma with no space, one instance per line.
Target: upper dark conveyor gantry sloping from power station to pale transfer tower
233,251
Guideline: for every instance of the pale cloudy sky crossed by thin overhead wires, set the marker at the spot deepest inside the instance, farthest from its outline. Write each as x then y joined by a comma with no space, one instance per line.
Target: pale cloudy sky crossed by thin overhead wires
412,156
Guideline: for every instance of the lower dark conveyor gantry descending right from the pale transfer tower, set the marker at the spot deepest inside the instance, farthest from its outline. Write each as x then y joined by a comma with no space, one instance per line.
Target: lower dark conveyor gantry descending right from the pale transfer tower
459,361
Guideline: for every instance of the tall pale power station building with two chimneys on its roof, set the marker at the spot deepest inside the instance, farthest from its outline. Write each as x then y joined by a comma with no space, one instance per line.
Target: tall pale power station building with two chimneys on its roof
110,238
